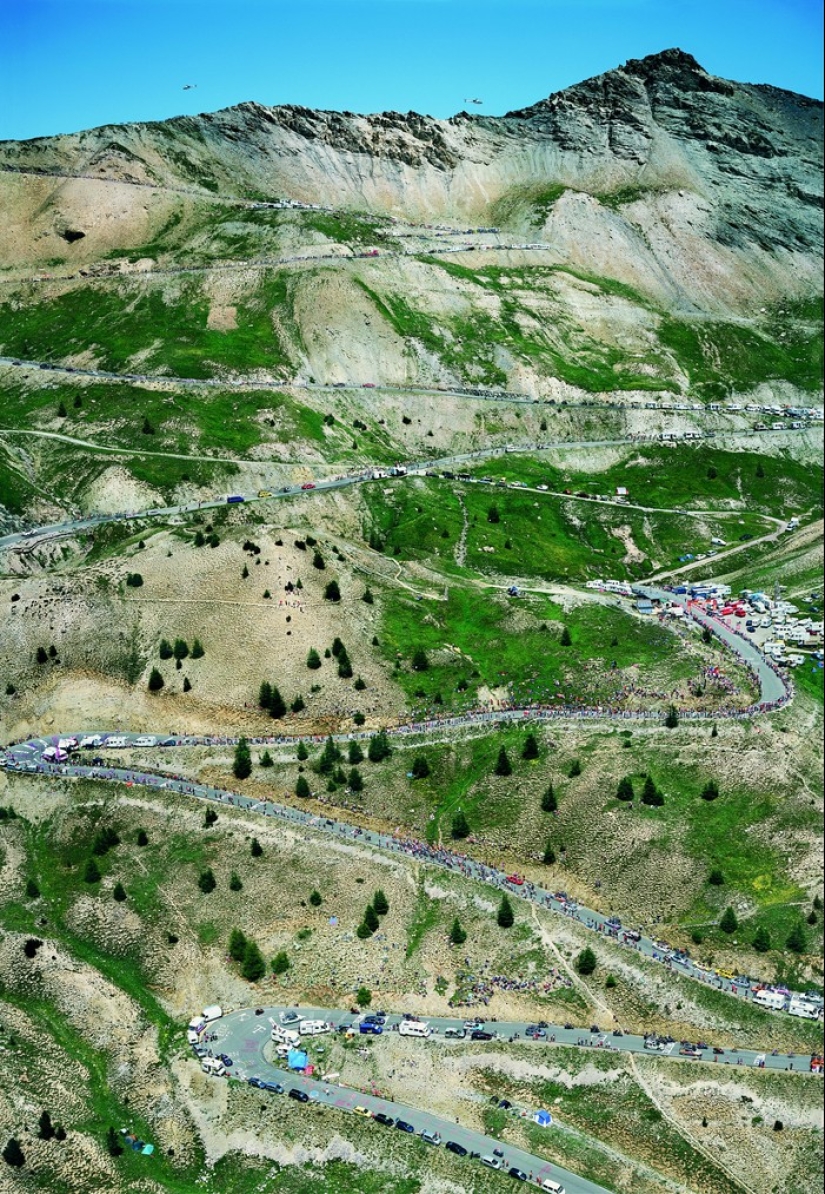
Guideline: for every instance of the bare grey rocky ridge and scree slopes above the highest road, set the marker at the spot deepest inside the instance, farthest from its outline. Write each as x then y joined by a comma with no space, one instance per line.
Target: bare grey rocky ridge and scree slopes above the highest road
704,194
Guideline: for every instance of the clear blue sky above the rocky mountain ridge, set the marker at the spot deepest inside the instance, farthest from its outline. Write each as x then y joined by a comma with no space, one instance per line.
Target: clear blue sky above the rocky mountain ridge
70,65
